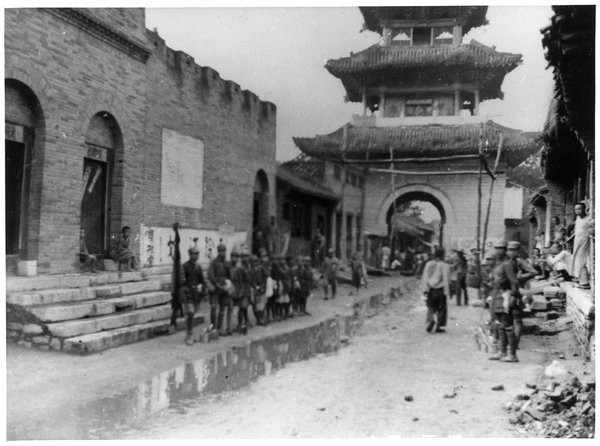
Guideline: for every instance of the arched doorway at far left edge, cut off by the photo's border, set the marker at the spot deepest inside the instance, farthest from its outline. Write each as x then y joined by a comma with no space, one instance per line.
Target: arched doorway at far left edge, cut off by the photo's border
24,130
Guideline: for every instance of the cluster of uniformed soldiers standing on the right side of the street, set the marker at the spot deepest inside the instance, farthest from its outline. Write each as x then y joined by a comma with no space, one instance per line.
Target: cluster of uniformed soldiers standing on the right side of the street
504,275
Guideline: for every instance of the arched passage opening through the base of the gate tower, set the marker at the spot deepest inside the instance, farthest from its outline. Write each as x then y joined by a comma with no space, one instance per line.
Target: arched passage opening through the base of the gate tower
415,220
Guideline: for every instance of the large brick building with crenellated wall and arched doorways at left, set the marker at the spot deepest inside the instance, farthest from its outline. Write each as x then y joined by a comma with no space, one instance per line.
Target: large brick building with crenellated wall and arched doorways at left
107,126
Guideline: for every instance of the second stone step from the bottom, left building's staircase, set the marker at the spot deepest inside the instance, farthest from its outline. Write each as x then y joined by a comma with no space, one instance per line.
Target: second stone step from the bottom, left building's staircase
80,327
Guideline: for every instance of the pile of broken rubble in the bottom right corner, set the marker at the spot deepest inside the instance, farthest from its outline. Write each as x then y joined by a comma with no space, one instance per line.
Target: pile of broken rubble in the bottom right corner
564,409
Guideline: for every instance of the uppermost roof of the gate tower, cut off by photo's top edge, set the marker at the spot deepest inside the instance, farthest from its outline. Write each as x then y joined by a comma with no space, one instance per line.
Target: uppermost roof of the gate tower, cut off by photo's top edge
470,16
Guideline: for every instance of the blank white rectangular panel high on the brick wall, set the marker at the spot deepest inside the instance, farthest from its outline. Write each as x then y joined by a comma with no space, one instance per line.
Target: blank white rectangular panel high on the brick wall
182,170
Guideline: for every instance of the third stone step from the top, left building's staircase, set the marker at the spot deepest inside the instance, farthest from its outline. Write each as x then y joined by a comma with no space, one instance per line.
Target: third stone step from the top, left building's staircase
98,307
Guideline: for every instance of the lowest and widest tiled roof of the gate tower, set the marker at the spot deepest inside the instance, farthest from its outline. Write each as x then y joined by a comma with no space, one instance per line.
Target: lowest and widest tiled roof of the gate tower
421,141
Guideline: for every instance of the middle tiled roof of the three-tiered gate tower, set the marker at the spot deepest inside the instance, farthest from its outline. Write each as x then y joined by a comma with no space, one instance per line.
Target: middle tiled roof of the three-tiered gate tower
377,58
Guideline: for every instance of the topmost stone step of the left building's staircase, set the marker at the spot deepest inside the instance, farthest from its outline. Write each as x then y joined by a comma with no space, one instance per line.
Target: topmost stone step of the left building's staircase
21,284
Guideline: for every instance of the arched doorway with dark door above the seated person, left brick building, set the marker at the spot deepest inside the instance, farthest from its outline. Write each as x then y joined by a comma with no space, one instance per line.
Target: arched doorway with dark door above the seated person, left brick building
101,201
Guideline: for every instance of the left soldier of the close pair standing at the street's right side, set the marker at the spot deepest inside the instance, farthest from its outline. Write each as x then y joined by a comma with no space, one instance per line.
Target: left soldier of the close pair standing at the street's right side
505,299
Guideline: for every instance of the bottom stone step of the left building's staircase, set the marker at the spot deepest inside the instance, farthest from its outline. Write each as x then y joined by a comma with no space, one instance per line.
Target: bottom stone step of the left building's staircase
95,342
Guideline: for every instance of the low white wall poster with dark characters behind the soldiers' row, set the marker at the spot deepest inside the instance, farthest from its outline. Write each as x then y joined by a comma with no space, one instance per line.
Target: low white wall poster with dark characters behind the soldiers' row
157,244
